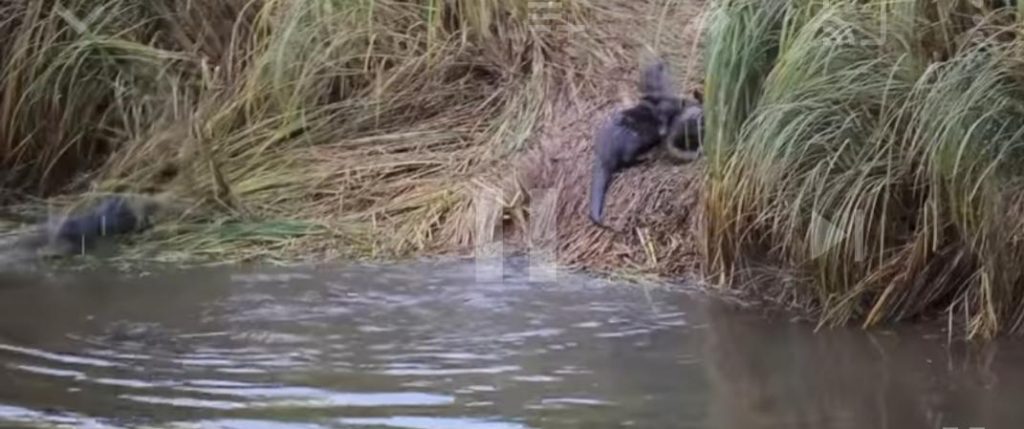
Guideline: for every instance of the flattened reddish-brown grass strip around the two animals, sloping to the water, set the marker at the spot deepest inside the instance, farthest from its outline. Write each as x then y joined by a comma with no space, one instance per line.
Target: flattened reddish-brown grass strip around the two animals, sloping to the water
651,208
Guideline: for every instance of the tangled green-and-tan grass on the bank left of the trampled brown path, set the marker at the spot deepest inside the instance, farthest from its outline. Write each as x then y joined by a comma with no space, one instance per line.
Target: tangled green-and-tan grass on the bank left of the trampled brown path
360,120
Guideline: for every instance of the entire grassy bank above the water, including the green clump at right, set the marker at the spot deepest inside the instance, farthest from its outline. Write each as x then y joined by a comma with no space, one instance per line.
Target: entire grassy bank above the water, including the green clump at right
866,184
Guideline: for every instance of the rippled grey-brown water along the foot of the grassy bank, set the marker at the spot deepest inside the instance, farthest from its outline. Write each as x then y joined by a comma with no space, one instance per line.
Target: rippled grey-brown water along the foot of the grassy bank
429,346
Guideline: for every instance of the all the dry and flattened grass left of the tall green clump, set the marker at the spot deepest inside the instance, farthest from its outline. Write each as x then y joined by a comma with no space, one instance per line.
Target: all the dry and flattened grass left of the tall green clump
293,131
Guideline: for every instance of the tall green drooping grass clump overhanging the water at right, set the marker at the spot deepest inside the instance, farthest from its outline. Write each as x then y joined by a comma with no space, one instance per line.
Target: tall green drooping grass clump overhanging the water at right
865,160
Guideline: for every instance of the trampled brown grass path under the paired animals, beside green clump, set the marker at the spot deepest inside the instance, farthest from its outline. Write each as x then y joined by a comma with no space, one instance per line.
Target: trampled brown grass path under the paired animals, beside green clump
650,208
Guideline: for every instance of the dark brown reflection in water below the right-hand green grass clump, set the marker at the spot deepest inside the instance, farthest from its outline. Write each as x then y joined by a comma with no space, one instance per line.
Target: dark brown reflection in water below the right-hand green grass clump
781,376
